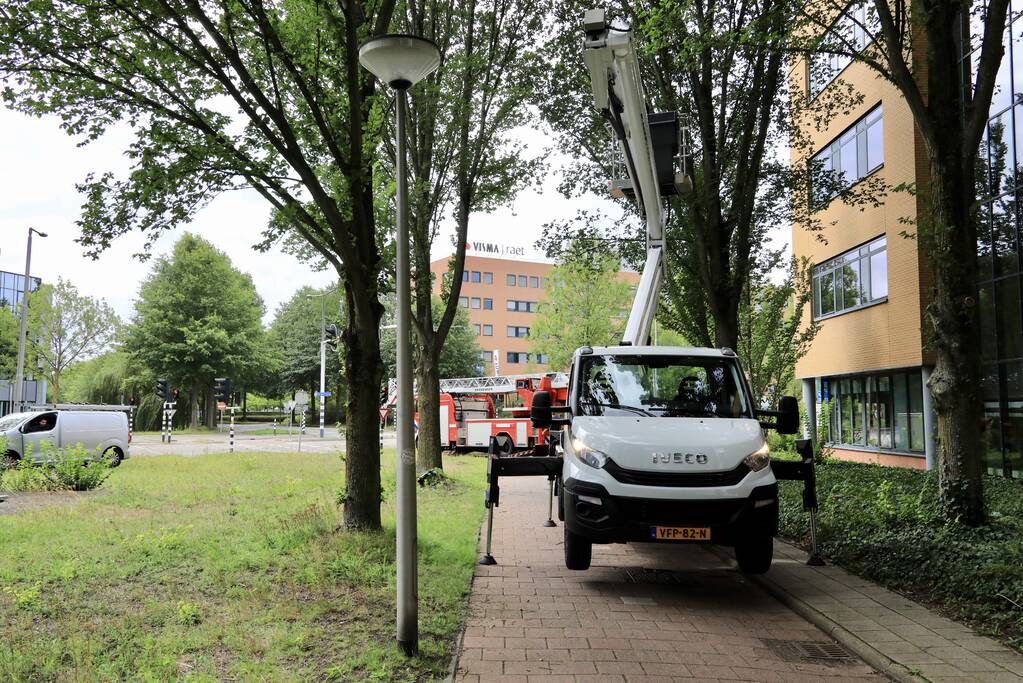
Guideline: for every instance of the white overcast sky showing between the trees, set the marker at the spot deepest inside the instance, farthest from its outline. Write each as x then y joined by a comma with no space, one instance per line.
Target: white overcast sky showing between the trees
41,166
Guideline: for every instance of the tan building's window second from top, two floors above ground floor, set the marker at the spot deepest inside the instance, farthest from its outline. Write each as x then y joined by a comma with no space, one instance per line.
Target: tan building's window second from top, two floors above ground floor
856,155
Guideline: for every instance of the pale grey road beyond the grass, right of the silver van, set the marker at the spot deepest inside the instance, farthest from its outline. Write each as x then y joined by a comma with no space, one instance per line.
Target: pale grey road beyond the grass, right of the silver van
204,444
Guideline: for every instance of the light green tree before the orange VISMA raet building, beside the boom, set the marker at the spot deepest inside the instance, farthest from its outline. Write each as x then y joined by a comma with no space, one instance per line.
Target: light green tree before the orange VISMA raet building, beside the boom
587,305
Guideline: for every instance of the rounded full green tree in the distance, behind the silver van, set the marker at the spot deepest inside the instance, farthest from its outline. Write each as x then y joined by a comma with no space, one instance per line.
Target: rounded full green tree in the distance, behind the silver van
198,318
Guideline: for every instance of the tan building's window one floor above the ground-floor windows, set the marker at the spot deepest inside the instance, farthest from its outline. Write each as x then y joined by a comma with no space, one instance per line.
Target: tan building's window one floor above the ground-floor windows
852,281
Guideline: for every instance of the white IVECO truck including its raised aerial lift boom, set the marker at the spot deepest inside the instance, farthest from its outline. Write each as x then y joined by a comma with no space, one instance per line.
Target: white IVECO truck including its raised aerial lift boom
660,444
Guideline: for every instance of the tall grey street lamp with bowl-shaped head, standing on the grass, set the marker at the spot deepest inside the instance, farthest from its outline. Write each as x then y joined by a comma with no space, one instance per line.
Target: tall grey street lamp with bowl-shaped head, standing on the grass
403,62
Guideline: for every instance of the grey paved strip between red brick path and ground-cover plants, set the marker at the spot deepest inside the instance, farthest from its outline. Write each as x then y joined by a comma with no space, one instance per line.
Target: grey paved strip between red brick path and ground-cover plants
908,641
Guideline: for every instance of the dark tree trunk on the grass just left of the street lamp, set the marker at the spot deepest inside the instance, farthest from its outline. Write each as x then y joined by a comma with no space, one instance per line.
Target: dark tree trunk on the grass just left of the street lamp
363,463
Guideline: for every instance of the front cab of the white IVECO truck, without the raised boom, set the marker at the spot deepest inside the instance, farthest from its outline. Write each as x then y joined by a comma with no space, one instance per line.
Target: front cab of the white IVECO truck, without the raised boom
665,445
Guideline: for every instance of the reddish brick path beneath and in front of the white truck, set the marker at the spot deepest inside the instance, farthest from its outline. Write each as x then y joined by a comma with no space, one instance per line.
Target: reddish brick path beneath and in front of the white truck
642,613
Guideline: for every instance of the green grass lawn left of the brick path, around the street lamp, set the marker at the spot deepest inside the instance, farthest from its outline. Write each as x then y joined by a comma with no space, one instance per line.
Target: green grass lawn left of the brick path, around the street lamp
230,567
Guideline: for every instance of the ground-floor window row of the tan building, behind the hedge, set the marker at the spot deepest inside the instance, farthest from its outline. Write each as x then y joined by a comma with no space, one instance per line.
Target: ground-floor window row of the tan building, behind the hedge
883,412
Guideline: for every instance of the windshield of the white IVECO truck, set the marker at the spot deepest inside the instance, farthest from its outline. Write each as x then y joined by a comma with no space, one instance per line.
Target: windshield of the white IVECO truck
661,387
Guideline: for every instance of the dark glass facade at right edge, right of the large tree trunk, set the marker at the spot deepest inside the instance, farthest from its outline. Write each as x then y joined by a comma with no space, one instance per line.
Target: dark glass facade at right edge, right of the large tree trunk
999,187
